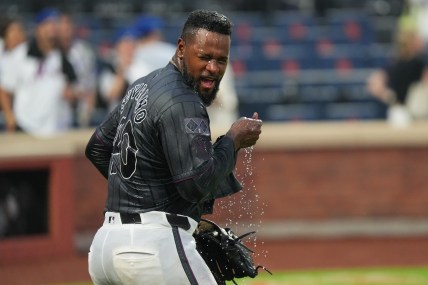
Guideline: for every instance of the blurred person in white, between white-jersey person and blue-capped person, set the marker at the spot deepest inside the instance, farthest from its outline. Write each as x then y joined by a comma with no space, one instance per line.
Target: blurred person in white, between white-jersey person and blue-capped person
82,57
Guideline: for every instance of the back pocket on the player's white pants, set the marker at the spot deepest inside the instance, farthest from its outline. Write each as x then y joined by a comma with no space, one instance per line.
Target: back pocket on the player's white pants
137,266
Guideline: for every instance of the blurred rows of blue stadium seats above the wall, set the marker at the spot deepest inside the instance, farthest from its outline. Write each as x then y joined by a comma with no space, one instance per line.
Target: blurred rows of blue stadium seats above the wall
294,60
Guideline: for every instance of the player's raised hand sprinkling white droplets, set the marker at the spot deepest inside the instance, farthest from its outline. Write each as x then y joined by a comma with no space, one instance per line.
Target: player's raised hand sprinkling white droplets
246,131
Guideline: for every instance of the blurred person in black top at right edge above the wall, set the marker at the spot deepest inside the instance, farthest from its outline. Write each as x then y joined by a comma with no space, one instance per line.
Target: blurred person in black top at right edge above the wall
393,84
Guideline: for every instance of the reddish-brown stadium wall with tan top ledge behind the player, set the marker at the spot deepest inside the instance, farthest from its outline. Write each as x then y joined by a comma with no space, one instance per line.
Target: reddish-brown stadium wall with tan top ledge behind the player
319,194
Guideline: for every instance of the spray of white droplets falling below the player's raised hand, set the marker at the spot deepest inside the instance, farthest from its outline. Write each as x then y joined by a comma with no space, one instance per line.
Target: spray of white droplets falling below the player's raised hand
244,211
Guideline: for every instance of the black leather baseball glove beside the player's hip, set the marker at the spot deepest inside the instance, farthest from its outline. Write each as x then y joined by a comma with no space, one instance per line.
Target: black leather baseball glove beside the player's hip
224,252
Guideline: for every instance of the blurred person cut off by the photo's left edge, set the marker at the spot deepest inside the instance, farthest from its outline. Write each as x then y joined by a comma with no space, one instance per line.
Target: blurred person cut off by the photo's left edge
13,34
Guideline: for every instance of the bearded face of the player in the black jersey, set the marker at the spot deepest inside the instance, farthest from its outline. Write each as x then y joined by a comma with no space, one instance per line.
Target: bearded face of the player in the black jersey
204,60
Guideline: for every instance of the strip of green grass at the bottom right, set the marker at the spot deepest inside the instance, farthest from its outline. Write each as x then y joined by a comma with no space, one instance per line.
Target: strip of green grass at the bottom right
375,276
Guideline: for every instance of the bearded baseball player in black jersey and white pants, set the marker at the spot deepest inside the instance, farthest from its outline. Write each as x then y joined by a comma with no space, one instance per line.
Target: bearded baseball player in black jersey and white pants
163,171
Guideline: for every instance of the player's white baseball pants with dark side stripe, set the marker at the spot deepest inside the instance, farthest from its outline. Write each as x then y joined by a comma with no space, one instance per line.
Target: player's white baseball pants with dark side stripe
150,252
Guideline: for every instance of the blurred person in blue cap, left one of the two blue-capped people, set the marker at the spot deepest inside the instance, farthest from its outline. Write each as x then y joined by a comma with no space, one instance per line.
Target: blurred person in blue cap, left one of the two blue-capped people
113,78
